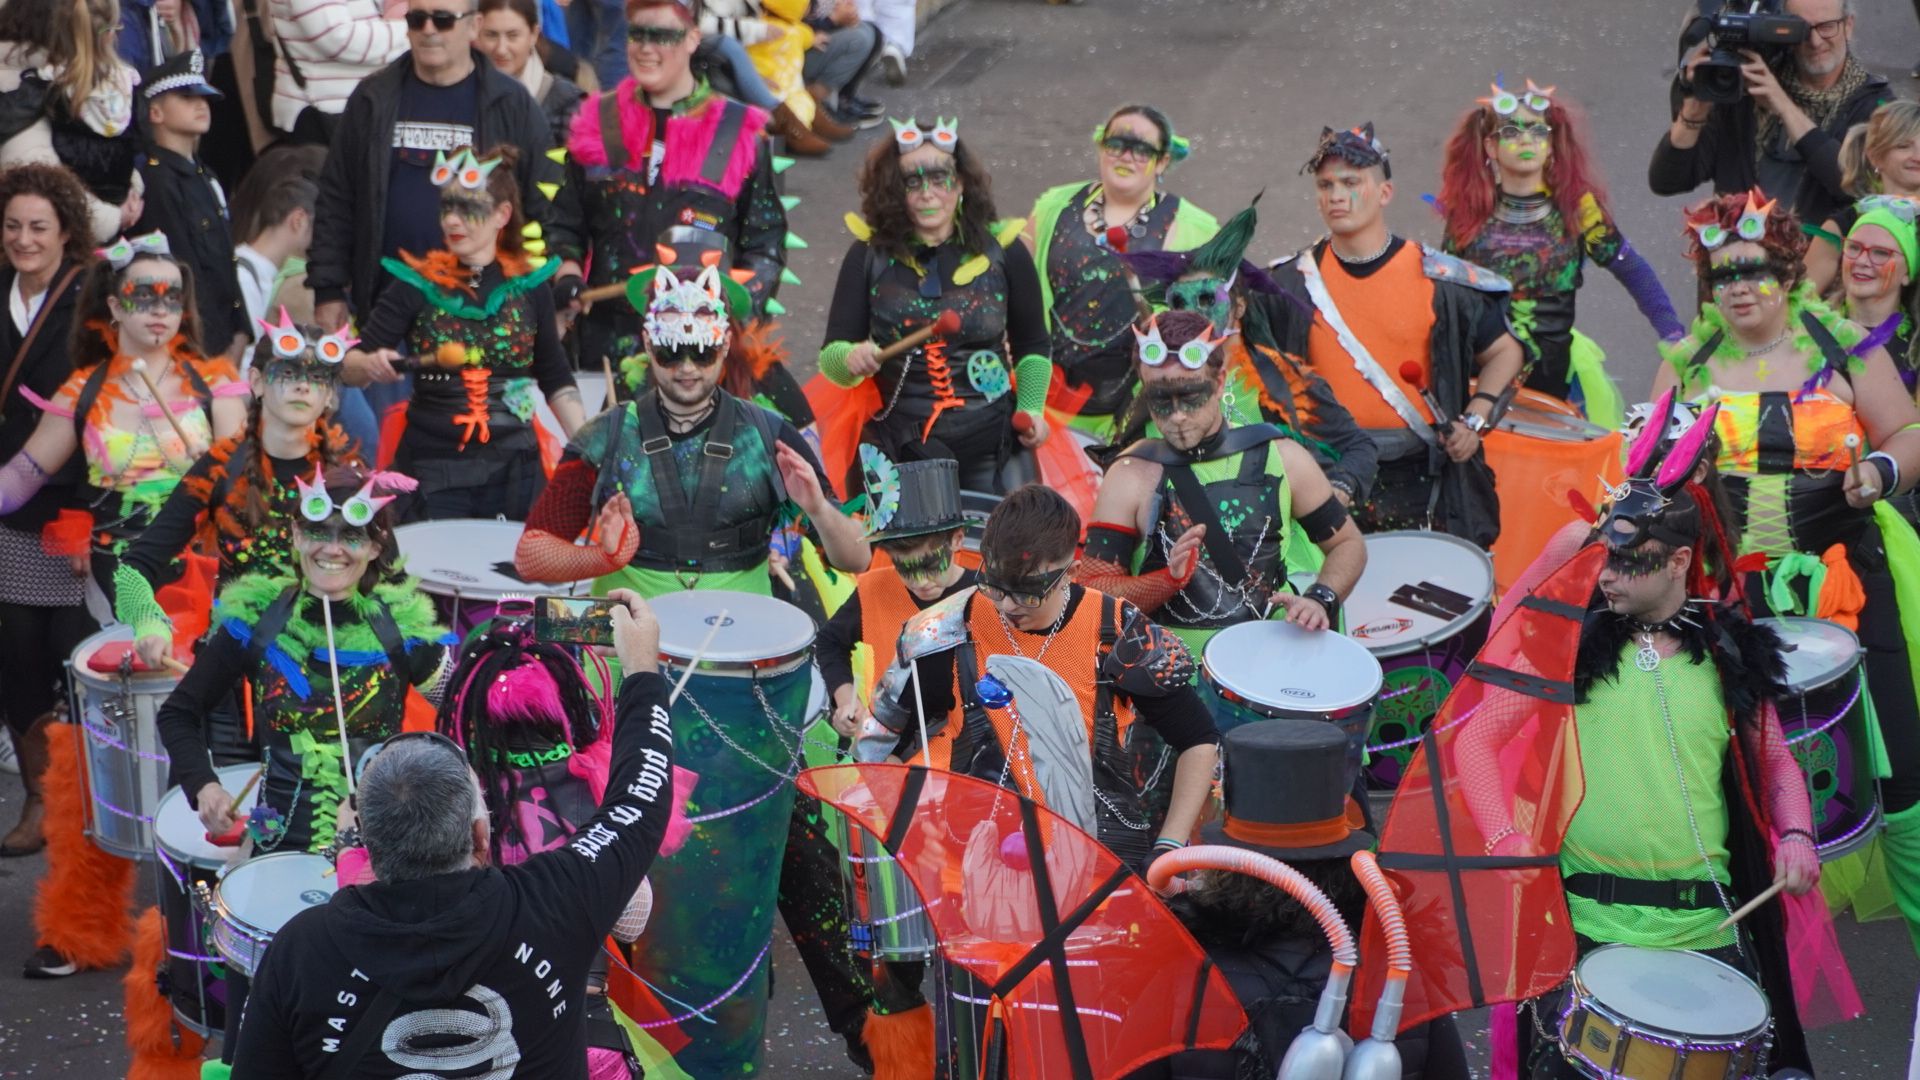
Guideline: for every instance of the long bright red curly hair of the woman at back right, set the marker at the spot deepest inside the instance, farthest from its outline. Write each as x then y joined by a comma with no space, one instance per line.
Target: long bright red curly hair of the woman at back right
1468,180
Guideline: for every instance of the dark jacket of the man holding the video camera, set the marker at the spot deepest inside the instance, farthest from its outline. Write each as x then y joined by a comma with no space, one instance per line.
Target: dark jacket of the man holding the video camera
1725,153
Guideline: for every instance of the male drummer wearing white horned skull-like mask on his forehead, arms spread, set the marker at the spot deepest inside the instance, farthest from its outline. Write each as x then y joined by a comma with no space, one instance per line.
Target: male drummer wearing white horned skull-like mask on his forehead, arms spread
684,485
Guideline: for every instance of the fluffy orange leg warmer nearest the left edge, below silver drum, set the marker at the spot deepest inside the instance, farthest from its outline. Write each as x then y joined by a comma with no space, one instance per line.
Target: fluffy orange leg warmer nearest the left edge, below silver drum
85,896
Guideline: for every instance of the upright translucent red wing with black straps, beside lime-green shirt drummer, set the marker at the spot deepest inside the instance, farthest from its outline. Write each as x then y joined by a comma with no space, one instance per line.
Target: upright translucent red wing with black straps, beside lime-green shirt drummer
1491,927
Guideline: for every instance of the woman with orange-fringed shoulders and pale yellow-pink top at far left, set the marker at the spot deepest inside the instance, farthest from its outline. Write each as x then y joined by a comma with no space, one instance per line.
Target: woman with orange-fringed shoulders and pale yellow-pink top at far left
141,406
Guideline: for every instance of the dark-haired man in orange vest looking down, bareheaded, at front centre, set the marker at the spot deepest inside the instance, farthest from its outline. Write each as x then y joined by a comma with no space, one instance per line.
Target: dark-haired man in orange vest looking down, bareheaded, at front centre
1030,679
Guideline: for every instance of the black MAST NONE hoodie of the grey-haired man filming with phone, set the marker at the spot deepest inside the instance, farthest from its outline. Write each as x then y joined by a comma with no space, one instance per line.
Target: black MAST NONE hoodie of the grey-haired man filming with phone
489,960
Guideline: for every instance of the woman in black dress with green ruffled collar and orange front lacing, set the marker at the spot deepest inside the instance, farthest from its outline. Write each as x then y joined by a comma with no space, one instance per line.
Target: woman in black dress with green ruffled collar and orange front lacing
477,328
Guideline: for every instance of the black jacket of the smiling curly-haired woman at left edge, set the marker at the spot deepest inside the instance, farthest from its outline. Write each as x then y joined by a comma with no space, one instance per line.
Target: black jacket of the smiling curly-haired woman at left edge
45,370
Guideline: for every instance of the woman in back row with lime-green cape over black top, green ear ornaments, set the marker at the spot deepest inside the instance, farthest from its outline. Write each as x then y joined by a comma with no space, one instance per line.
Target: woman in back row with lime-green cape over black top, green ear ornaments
1084,287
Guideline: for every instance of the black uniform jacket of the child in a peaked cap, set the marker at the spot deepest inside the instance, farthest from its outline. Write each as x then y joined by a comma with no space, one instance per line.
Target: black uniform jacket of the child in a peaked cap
185,203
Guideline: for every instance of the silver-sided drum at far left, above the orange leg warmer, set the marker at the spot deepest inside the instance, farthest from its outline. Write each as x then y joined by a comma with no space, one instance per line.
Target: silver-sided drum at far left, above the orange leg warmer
126,760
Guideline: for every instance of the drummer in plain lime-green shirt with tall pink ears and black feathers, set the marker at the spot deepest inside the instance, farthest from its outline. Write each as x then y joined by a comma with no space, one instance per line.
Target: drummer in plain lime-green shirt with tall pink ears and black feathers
1692,800
